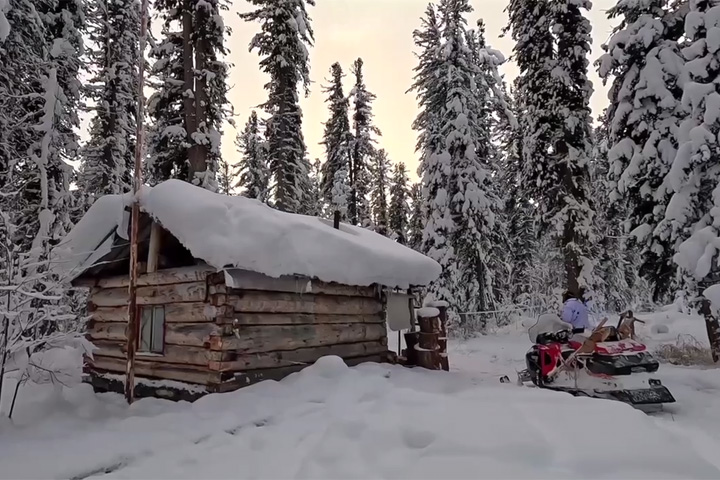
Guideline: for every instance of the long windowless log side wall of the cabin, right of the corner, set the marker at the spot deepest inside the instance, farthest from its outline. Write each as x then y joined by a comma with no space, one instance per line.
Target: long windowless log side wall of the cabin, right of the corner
282,325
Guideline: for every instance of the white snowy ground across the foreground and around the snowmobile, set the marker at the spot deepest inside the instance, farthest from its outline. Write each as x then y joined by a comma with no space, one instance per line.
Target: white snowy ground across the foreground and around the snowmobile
376,421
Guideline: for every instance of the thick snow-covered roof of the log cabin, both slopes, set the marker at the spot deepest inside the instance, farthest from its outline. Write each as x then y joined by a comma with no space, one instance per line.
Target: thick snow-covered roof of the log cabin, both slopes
232,231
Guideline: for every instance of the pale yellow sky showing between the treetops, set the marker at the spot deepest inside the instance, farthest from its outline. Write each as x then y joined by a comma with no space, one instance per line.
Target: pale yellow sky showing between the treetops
379,31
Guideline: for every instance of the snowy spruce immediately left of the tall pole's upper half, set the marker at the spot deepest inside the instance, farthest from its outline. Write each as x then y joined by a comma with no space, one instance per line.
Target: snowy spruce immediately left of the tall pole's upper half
108,156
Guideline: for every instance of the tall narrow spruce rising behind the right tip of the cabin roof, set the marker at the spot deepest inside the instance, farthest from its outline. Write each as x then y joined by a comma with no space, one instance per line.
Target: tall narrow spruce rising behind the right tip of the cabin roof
434,168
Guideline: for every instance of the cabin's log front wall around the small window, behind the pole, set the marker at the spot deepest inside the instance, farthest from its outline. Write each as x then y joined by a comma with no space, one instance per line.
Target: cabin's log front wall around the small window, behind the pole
189,324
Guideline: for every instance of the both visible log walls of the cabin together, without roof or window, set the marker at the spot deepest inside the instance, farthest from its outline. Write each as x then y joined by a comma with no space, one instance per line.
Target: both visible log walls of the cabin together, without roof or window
225,338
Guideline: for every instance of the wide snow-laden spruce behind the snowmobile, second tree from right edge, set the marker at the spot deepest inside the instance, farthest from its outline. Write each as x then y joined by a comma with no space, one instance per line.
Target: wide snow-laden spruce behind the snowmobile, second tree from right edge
644,61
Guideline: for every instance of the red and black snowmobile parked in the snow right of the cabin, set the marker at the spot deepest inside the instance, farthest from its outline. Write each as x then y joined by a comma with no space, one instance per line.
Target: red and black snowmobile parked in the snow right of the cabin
606,363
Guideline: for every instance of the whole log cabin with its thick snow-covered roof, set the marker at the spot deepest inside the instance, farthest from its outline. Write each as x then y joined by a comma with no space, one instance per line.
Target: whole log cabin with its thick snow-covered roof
232,292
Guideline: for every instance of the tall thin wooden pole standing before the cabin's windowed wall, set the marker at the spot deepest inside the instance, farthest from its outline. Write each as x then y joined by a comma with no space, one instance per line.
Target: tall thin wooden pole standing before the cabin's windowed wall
135,219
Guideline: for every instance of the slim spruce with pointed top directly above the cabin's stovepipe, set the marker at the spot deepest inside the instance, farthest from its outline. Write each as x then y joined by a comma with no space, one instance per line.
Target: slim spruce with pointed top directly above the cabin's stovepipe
337,138
